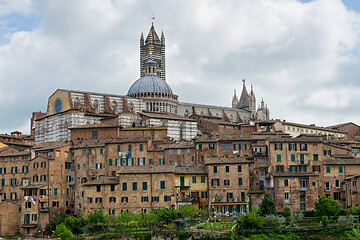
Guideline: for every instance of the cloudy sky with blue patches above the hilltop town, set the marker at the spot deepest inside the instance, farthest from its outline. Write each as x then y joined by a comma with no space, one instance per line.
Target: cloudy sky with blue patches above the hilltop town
302,57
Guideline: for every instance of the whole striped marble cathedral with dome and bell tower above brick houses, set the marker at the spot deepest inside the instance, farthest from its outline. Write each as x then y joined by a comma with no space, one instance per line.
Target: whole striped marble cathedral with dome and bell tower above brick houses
149,102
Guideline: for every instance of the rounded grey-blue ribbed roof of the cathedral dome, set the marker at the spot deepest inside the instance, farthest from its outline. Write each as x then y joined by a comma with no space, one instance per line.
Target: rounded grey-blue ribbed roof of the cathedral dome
150,84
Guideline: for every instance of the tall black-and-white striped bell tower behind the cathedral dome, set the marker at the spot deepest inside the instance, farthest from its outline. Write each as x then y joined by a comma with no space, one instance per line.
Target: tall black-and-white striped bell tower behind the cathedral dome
157,47
